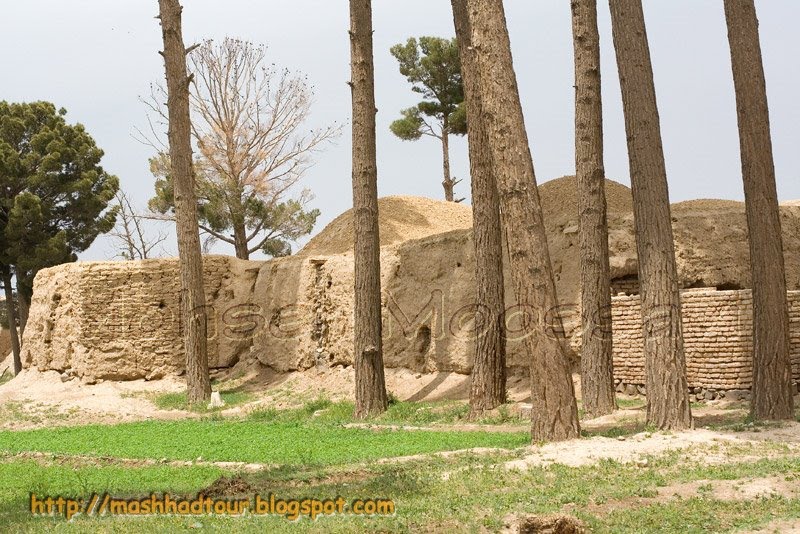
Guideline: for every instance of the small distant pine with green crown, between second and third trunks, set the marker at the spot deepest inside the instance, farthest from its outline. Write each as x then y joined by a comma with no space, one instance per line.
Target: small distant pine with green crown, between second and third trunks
433,68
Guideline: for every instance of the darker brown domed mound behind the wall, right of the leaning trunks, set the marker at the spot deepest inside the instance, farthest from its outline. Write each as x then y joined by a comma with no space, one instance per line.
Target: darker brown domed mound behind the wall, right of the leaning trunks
559,198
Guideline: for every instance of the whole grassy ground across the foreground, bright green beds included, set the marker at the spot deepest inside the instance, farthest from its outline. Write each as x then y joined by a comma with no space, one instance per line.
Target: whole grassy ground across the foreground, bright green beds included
312,452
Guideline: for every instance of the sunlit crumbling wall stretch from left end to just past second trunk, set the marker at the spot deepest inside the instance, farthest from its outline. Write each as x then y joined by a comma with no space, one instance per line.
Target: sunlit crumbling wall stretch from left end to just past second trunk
122,320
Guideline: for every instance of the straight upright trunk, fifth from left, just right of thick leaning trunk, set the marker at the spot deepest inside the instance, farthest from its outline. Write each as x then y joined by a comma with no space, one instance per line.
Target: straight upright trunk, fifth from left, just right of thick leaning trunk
597,369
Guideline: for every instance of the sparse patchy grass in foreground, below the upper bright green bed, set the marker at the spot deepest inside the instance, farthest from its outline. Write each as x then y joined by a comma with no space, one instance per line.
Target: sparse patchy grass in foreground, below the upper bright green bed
474,496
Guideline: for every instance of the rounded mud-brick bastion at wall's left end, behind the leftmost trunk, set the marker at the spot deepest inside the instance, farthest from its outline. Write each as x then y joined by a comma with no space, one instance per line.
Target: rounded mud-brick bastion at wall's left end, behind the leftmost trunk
121,320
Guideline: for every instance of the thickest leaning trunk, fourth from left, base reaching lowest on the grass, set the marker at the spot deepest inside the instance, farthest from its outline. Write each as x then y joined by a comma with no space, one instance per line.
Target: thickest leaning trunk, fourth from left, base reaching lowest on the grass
555,413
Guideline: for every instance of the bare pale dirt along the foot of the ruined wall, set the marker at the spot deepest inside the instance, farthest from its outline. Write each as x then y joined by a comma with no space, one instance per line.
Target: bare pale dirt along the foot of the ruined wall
36,399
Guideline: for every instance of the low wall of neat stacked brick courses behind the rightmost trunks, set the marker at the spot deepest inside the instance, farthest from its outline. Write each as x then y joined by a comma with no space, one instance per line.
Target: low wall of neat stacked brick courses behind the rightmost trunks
717,328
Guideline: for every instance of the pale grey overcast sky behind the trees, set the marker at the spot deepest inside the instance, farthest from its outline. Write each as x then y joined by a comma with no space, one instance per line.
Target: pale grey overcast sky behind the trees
98,58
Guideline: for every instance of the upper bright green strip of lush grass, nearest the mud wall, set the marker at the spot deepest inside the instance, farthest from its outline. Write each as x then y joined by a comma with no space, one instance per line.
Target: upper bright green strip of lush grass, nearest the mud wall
249,441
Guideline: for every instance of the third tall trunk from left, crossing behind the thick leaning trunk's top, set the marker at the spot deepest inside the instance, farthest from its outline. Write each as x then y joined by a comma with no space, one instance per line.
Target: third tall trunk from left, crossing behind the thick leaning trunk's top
488,387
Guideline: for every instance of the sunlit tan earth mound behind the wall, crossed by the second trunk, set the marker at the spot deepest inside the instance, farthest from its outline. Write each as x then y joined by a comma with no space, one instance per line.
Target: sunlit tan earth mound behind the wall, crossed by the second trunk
401,218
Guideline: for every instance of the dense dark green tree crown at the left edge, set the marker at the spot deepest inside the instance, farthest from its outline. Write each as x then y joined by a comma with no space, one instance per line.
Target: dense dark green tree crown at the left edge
54,194
